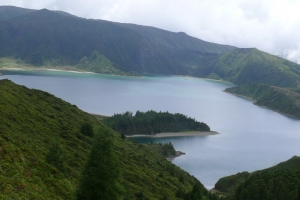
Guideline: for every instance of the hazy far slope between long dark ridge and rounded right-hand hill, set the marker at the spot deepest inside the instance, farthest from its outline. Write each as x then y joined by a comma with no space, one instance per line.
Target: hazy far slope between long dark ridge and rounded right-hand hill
188,51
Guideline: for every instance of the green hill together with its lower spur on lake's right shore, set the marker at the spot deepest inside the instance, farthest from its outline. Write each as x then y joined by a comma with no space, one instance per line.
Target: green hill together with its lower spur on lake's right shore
272,81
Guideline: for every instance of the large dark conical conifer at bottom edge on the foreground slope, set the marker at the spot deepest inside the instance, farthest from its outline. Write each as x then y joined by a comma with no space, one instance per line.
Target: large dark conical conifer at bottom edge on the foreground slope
101,175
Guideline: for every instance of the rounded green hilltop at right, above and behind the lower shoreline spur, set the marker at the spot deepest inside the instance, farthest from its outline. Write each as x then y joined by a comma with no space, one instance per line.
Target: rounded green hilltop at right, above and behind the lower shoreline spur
241,66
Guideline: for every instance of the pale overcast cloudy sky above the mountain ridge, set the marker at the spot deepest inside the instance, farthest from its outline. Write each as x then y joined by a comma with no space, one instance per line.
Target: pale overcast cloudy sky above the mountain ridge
269,25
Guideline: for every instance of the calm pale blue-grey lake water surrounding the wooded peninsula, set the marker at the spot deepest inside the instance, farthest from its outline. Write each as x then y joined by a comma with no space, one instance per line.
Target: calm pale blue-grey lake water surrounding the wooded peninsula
250,137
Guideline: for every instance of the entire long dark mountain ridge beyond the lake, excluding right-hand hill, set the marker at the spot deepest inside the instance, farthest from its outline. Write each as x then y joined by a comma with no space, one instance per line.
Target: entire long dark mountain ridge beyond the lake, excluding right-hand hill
43,37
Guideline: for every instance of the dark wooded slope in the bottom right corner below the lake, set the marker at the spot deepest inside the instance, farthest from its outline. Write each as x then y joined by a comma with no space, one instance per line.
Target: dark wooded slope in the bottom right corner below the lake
281,181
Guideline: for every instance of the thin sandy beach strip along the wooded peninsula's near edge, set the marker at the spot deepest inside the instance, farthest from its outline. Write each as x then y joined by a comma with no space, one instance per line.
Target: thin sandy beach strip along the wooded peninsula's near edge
177,134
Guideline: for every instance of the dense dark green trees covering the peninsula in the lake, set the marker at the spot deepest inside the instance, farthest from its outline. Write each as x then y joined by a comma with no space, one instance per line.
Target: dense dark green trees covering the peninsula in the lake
152,122
